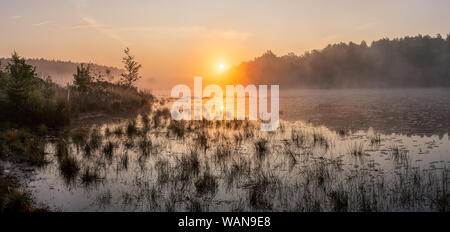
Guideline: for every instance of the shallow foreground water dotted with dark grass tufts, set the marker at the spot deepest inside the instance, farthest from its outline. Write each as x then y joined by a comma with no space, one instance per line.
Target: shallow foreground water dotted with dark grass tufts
225,166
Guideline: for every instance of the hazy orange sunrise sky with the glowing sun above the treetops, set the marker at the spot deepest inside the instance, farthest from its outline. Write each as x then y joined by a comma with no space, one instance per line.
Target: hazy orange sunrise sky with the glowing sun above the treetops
179,39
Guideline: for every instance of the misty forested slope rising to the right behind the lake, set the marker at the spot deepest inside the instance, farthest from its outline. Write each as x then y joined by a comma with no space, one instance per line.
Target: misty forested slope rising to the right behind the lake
419,61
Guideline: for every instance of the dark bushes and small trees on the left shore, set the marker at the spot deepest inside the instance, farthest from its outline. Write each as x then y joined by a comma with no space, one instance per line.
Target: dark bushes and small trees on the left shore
27,100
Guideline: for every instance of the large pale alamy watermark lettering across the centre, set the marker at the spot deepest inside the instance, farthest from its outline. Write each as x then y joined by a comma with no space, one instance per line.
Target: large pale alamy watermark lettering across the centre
215,109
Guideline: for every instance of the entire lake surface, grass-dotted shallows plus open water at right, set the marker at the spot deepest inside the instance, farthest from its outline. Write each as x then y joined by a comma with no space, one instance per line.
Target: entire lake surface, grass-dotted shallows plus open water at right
381,125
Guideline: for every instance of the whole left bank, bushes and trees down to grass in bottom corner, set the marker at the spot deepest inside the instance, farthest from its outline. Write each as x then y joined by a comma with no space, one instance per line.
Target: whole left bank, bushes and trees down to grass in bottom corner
35,109
